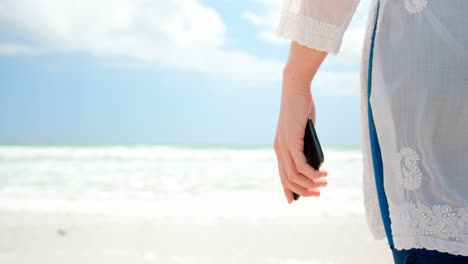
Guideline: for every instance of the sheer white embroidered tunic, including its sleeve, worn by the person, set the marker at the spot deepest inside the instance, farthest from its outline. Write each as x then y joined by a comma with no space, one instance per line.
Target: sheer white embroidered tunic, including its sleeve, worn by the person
419,102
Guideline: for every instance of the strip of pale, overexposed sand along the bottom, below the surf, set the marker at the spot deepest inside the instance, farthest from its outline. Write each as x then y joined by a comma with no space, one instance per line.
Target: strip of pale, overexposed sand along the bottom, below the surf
71,238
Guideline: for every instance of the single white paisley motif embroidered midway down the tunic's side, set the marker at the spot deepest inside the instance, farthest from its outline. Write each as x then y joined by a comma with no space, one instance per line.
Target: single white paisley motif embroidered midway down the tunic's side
407,168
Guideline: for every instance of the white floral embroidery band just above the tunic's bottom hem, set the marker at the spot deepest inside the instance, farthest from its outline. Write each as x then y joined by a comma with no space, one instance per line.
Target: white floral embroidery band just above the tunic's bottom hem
440,221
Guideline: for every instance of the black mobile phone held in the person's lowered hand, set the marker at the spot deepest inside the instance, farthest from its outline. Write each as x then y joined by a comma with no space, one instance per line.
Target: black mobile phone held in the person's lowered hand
312,149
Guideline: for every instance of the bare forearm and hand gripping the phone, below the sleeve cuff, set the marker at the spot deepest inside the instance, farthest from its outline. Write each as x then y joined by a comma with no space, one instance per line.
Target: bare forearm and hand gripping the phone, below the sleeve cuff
296,106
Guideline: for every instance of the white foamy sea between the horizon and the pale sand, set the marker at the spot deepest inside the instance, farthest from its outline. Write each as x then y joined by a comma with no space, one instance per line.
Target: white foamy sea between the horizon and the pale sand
165,180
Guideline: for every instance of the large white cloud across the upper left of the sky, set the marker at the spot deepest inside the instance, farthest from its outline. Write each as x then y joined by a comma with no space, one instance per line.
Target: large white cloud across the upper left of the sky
180,34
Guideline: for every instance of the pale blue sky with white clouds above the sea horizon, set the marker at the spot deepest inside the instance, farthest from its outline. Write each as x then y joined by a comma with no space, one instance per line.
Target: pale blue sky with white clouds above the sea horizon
163,72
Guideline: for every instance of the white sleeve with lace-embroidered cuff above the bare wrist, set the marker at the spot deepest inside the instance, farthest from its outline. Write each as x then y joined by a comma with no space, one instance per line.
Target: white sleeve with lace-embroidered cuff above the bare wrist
318,24
